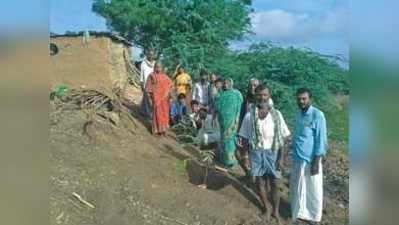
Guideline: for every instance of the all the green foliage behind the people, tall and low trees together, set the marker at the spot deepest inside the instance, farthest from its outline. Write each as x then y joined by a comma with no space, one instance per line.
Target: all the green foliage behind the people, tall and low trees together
197,34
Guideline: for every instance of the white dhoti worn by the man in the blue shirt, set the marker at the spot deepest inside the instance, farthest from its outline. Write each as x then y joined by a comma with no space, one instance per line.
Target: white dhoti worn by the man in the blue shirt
306,192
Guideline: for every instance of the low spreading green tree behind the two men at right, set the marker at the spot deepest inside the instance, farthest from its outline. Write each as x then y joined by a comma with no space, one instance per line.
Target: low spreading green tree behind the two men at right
286,69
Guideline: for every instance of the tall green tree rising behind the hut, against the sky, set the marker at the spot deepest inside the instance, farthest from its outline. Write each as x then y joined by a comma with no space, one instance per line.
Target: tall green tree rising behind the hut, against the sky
185,31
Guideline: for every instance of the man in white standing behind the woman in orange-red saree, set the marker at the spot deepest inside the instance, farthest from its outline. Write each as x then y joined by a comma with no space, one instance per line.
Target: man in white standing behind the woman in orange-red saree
146,68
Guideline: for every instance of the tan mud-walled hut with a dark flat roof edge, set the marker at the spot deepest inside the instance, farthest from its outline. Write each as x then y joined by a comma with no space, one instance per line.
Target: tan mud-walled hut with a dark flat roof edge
93,60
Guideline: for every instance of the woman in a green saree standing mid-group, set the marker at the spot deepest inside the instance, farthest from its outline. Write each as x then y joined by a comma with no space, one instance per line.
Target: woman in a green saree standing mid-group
227,111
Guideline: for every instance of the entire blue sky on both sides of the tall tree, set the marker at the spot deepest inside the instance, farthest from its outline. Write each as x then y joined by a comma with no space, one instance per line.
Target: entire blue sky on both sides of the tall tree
321,25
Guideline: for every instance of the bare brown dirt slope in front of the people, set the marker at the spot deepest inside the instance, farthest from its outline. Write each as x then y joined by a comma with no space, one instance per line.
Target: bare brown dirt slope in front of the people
135,178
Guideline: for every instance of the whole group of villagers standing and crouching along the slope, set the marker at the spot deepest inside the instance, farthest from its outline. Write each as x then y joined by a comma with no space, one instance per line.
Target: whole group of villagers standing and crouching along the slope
249,131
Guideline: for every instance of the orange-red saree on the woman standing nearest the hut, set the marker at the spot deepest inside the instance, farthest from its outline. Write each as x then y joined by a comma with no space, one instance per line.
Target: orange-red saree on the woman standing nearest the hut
158,87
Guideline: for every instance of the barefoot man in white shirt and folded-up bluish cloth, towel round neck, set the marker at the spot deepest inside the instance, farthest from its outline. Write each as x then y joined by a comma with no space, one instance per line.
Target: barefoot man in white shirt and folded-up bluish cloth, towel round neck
262,133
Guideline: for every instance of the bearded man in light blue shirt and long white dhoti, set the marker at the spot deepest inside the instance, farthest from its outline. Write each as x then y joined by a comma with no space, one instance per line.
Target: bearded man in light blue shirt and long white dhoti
308,146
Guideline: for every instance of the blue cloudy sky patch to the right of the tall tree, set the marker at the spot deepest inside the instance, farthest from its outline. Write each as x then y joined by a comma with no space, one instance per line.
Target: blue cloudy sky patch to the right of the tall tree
321,25
